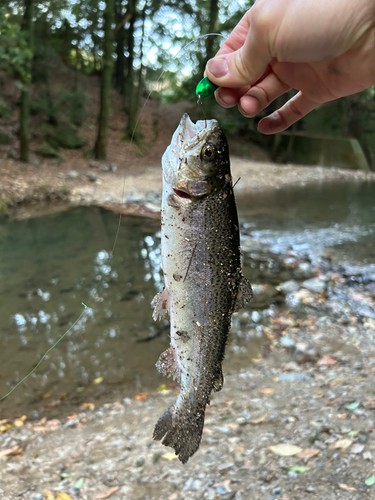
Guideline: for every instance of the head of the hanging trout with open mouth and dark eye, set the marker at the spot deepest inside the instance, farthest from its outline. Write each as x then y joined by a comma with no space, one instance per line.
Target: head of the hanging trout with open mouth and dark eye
196,163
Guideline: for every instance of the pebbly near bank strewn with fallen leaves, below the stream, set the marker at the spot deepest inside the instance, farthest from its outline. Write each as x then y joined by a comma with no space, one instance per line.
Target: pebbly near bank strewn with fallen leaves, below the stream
298,423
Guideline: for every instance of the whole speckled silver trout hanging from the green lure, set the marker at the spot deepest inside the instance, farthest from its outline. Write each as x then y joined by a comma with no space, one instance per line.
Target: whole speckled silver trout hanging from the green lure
204,284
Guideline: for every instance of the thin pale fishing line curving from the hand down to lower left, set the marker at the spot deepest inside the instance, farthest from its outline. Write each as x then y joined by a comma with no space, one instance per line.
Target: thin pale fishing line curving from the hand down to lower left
181,50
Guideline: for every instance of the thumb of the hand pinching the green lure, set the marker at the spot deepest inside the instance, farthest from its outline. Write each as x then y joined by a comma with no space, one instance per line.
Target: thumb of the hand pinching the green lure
243,66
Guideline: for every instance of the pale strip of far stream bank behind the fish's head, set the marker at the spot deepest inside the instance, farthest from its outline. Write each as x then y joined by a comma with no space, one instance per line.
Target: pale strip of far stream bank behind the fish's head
121,188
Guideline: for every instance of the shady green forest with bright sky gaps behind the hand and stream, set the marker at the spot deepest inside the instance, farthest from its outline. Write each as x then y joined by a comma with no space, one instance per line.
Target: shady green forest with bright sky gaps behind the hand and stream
50,52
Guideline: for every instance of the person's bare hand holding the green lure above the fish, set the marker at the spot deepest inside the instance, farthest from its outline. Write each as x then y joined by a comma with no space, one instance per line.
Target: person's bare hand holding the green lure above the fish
323,48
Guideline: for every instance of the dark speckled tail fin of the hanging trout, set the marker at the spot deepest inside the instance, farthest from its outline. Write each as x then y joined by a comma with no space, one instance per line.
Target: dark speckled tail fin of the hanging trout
182,428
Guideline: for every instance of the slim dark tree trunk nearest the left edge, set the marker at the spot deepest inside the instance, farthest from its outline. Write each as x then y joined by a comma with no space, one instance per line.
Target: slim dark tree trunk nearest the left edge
24,104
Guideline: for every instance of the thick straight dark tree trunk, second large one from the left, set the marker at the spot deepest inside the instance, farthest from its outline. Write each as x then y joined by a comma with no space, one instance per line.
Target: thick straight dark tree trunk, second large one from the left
100,148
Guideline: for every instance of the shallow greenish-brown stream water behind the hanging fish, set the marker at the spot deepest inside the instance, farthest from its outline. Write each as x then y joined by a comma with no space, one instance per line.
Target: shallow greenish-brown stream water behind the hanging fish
50,265
